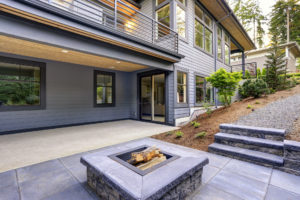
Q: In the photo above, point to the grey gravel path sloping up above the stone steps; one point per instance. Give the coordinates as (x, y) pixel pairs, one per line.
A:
(279, 114)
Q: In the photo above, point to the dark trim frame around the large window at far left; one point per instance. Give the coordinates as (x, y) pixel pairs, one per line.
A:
(42, 67)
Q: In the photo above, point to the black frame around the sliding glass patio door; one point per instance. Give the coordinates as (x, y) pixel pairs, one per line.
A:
(139, 80)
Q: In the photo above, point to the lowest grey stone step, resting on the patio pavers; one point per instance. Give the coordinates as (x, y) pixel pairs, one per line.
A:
(256, 157)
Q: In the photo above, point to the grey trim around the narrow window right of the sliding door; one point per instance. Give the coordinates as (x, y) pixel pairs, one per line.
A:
(176, 104)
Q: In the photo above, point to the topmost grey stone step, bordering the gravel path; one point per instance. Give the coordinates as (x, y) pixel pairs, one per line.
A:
(251, 131)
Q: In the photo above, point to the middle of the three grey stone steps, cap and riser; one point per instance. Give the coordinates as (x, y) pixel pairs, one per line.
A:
(252, 143)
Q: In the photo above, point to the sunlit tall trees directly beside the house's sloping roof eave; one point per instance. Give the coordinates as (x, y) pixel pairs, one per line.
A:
(251, 17)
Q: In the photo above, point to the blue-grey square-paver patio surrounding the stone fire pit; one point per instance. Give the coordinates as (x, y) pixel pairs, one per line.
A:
(223, 179)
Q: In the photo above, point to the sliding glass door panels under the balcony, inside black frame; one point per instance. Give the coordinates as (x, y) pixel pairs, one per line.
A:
(152, 98)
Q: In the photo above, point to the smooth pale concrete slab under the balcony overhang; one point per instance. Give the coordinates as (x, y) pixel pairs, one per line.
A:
(19, 150)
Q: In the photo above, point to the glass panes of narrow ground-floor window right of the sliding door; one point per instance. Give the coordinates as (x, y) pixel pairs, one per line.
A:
(181, 87)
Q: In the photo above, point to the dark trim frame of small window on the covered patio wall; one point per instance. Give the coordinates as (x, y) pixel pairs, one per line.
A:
(96, 72)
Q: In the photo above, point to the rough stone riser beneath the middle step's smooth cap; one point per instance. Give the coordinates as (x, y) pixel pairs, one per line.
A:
(254, 147)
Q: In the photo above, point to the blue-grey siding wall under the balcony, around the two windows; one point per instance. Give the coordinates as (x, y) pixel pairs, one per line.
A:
(69, 100)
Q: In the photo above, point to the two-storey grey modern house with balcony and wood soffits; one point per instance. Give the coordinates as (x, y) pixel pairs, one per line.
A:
(68, 62)
